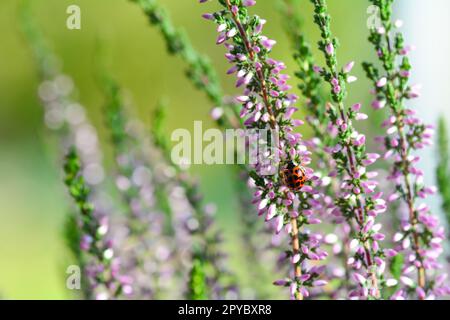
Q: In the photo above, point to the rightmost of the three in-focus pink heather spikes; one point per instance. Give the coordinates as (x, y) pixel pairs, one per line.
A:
(421, 235)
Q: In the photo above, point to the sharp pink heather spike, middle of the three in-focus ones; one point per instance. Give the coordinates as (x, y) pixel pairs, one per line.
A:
(359, 202)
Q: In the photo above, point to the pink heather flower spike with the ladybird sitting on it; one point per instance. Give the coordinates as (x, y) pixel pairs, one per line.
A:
(269, 105)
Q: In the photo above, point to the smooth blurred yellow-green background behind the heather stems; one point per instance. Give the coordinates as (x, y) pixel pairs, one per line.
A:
(33, 201)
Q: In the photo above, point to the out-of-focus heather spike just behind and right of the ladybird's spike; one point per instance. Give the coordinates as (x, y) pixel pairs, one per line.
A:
(310, 84)
